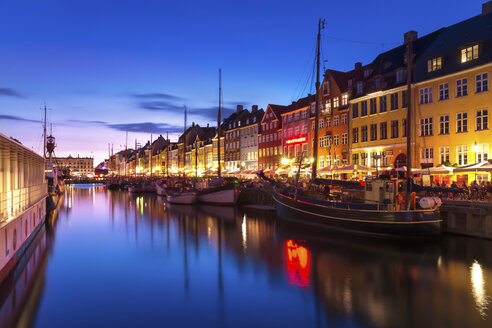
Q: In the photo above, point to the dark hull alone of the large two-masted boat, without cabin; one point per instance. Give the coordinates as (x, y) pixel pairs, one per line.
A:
(389, 223)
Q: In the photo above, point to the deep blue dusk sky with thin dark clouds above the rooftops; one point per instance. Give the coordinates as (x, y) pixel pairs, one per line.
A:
(105, 67)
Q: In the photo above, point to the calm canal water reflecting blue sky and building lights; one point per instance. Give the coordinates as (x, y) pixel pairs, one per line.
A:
(113, 259)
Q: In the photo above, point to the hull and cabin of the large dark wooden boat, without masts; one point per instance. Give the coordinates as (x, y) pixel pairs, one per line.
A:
(378, 212)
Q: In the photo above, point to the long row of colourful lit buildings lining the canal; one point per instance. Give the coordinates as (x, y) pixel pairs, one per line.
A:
(362, 115)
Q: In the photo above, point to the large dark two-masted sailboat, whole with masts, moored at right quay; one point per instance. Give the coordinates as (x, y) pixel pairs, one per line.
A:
(382, 207)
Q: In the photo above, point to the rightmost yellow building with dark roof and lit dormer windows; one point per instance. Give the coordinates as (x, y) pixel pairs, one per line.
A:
(453, 96)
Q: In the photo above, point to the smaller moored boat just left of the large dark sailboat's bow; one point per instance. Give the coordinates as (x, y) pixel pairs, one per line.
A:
(221, 191)
